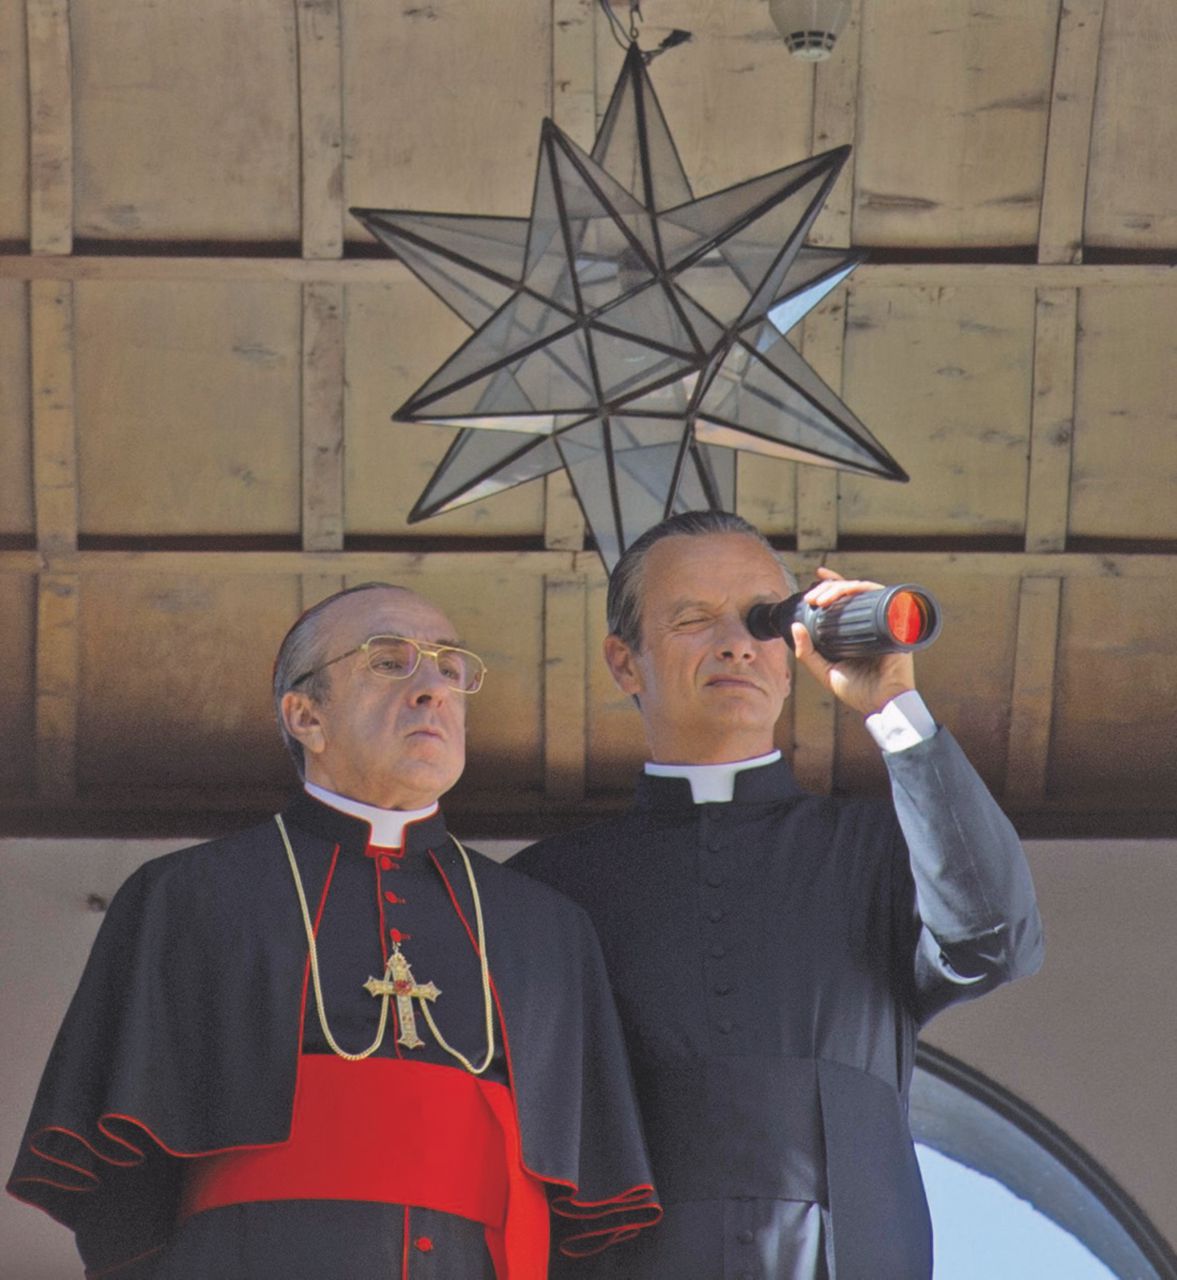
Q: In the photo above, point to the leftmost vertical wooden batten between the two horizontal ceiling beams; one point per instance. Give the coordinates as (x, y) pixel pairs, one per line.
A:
(54, 428)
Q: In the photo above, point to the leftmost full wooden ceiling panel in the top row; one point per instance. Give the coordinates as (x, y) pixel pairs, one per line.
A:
(187, 122)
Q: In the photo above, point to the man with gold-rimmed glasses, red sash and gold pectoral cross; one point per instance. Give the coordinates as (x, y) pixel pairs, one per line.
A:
(340, 1045)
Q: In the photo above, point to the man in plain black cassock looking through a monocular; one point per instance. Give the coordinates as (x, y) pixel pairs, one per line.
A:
(776, 954)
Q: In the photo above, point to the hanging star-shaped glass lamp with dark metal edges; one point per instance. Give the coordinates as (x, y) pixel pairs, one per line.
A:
(628, 332)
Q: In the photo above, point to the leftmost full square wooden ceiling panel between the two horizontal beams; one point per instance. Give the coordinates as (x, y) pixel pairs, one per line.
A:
(189, 409)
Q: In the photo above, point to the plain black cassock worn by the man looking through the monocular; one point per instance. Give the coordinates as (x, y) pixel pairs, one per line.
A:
(773, 959)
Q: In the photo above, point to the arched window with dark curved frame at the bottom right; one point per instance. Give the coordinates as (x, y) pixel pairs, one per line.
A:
(1013, 1196)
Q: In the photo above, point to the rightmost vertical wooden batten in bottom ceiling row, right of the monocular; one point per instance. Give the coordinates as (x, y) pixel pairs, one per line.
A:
(1032, 700)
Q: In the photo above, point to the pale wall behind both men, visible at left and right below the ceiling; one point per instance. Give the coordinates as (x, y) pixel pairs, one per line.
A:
(1091, 1043)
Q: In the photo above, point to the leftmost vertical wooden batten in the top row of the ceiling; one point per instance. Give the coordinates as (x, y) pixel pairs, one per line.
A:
(51, 127)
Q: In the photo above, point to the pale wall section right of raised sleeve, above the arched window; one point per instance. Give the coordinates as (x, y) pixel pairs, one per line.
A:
(1092, 1041)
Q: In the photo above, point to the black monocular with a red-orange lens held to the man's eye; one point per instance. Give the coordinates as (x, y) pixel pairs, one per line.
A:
(889, 620)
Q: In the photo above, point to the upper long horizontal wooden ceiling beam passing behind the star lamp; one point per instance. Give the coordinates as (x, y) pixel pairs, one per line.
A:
(248, 268)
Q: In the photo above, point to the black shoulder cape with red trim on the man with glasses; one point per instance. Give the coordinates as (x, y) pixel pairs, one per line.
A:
(186, 1031)
